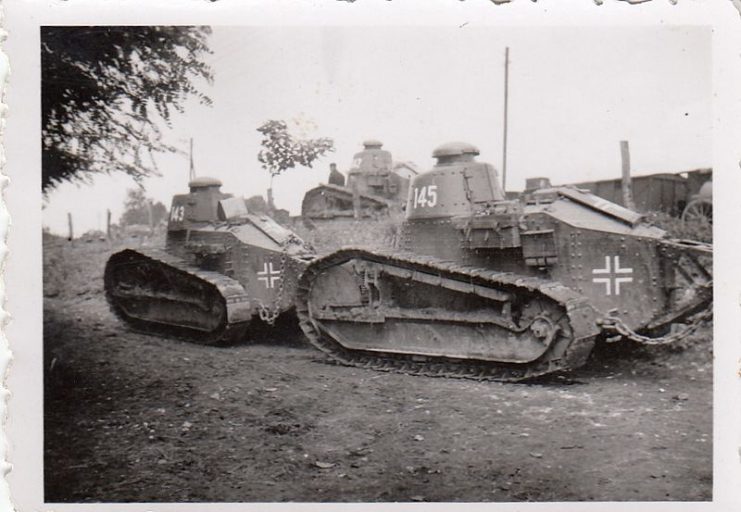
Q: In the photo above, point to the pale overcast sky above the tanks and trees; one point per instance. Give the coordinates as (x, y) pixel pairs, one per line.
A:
(574, 94)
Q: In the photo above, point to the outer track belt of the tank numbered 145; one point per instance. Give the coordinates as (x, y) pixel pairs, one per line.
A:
(582, 318)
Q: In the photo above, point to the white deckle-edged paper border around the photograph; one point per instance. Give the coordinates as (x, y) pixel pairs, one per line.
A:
(23, 281)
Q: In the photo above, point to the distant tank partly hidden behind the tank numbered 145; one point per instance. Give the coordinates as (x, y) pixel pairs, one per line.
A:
(375, 187)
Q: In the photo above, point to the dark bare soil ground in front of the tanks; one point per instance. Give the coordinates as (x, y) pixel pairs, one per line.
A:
(130, 417)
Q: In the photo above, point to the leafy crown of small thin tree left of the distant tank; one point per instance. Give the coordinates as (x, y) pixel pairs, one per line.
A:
(281, 151)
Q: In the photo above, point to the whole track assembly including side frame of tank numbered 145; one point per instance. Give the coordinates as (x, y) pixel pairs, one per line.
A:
(421, 315)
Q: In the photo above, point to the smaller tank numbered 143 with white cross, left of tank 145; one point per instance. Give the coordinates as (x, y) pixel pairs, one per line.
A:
(222, 267)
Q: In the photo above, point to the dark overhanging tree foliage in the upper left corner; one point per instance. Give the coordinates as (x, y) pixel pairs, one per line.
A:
(107, 91)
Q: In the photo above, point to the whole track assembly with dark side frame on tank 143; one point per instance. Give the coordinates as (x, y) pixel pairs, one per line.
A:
(155, 292)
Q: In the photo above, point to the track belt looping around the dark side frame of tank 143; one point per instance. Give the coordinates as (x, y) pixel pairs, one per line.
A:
(229, 289)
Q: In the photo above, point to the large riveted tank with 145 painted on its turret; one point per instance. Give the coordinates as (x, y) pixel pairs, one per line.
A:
(489, 288)
